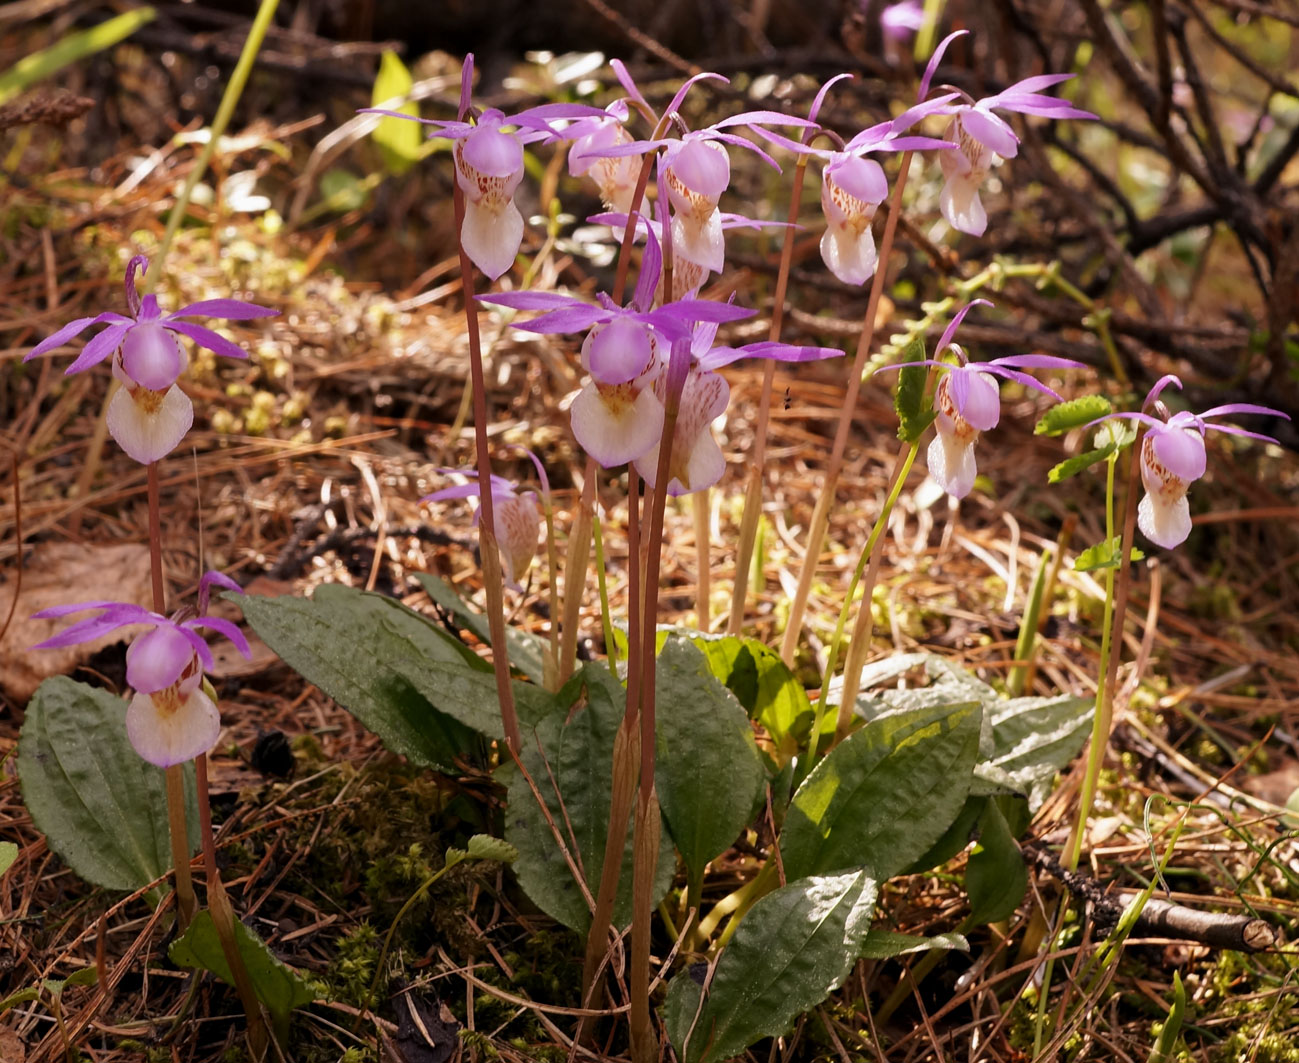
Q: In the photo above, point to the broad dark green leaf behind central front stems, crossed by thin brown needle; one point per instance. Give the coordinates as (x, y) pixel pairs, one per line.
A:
(579, 758)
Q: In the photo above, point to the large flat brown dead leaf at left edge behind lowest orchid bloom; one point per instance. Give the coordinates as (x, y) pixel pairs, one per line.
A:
(59, 575)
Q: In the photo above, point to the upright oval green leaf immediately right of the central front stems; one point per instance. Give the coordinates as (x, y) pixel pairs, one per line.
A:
(709, 771)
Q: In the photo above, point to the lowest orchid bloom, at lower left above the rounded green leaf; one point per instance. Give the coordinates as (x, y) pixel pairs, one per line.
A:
(171, 718)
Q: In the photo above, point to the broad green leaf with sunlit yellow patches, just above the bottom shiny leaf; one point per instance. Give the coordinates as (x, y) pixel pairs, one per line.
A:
(885, 795)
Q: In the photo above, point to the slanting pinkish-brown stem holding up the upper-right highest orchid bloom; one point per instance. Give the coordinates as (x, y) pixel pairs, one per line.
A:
(822, 515)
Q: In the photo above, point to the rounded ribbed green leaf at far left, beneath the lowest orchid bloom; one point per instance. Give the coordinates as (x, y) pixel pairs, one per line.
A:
(102, 809)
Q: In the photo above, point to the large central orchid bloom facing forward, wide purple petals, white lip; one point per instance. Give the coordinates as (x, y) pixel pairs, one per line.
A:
(618, 416)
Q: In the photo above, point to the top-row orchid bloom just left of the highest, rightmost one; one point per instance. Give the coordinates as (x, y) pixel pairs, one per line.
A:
(853, 186)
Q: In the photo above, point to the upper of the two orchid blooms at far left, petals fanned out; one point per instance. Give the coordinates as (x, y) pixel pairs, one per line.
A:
(150, 415)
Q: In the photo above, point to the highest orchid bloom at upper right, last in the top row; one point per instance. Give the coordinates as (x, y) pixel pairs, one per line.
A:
(984, 138)
